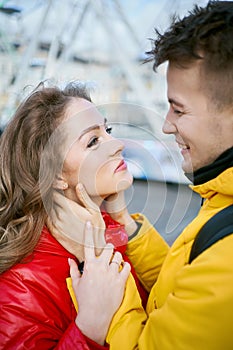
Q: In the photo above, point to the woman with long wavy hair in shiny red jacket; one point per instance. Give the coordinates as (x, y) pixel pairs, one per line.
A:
(37, 311)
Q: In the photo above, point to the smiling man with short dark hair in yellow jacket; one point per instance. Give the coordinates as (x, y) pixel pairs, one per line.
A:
(190, 304)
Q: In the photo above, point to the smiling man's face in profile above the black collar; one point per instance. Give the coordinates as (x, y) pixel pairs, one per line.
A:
(201, 132)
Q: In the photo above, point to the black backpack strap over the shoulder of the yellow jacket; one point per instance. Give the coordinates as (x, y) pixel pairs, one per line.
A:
(218, 227)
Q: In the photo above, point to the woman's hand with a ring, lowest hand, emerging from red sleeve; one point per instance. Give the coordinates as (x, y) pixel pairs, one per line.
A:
(100, 290)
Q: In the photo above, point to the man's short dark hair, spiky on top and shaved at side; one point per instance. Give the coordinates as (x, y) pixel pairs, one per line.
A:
(206, 35)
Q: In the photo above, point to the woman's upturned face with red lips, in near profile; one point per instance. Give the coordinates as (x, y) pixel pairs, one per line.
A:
(92, 156)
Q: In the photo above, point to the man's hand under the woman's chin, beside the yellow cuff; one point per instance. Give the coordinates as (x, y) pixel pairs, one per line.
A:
(115, 205)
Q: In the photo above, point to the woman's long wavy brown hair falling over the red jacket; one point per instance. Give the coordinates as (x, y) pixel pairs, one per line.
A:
(22, 213)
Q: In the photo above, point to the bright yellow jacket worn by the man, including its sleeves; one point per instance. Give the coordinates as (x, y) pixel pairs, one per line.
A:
(190, 305)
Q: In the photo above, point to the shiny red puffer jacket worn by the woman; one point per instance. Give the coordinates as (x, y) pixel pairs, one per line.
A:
(36, 311)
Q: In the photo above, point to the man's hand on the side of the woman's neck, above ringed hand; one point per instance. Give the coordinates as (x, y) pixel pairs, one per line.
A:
(68, 219)
